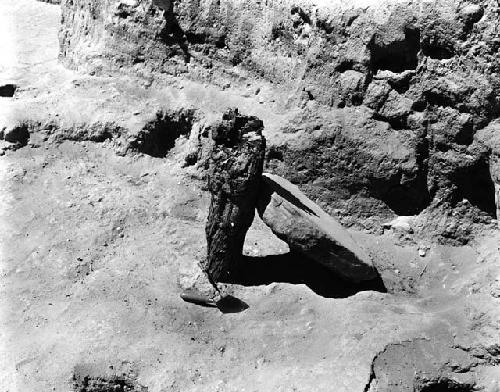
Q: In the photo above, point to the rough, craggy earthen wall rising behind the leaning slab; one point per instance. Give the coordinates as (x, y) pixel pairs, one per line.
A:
(391, 93)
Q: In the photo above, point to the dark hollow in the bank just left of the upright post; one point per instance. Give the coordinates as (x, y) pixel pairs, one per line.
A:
(158, 137)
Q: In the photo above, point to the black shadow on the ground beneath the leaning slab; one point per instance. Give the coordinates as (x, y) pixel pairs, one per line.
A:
(297, 269)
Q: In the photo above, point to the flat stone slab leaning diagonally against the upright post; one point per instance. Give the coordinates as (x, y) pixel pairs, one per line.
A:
(311, 231)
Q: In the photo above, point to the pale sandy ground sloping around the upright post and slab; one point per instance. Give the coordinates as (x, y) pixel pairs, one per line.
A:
(92, 245)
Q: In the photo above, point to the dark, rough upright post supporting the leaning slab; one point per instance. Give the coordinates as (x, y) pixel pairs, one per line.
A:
(234, 176)
